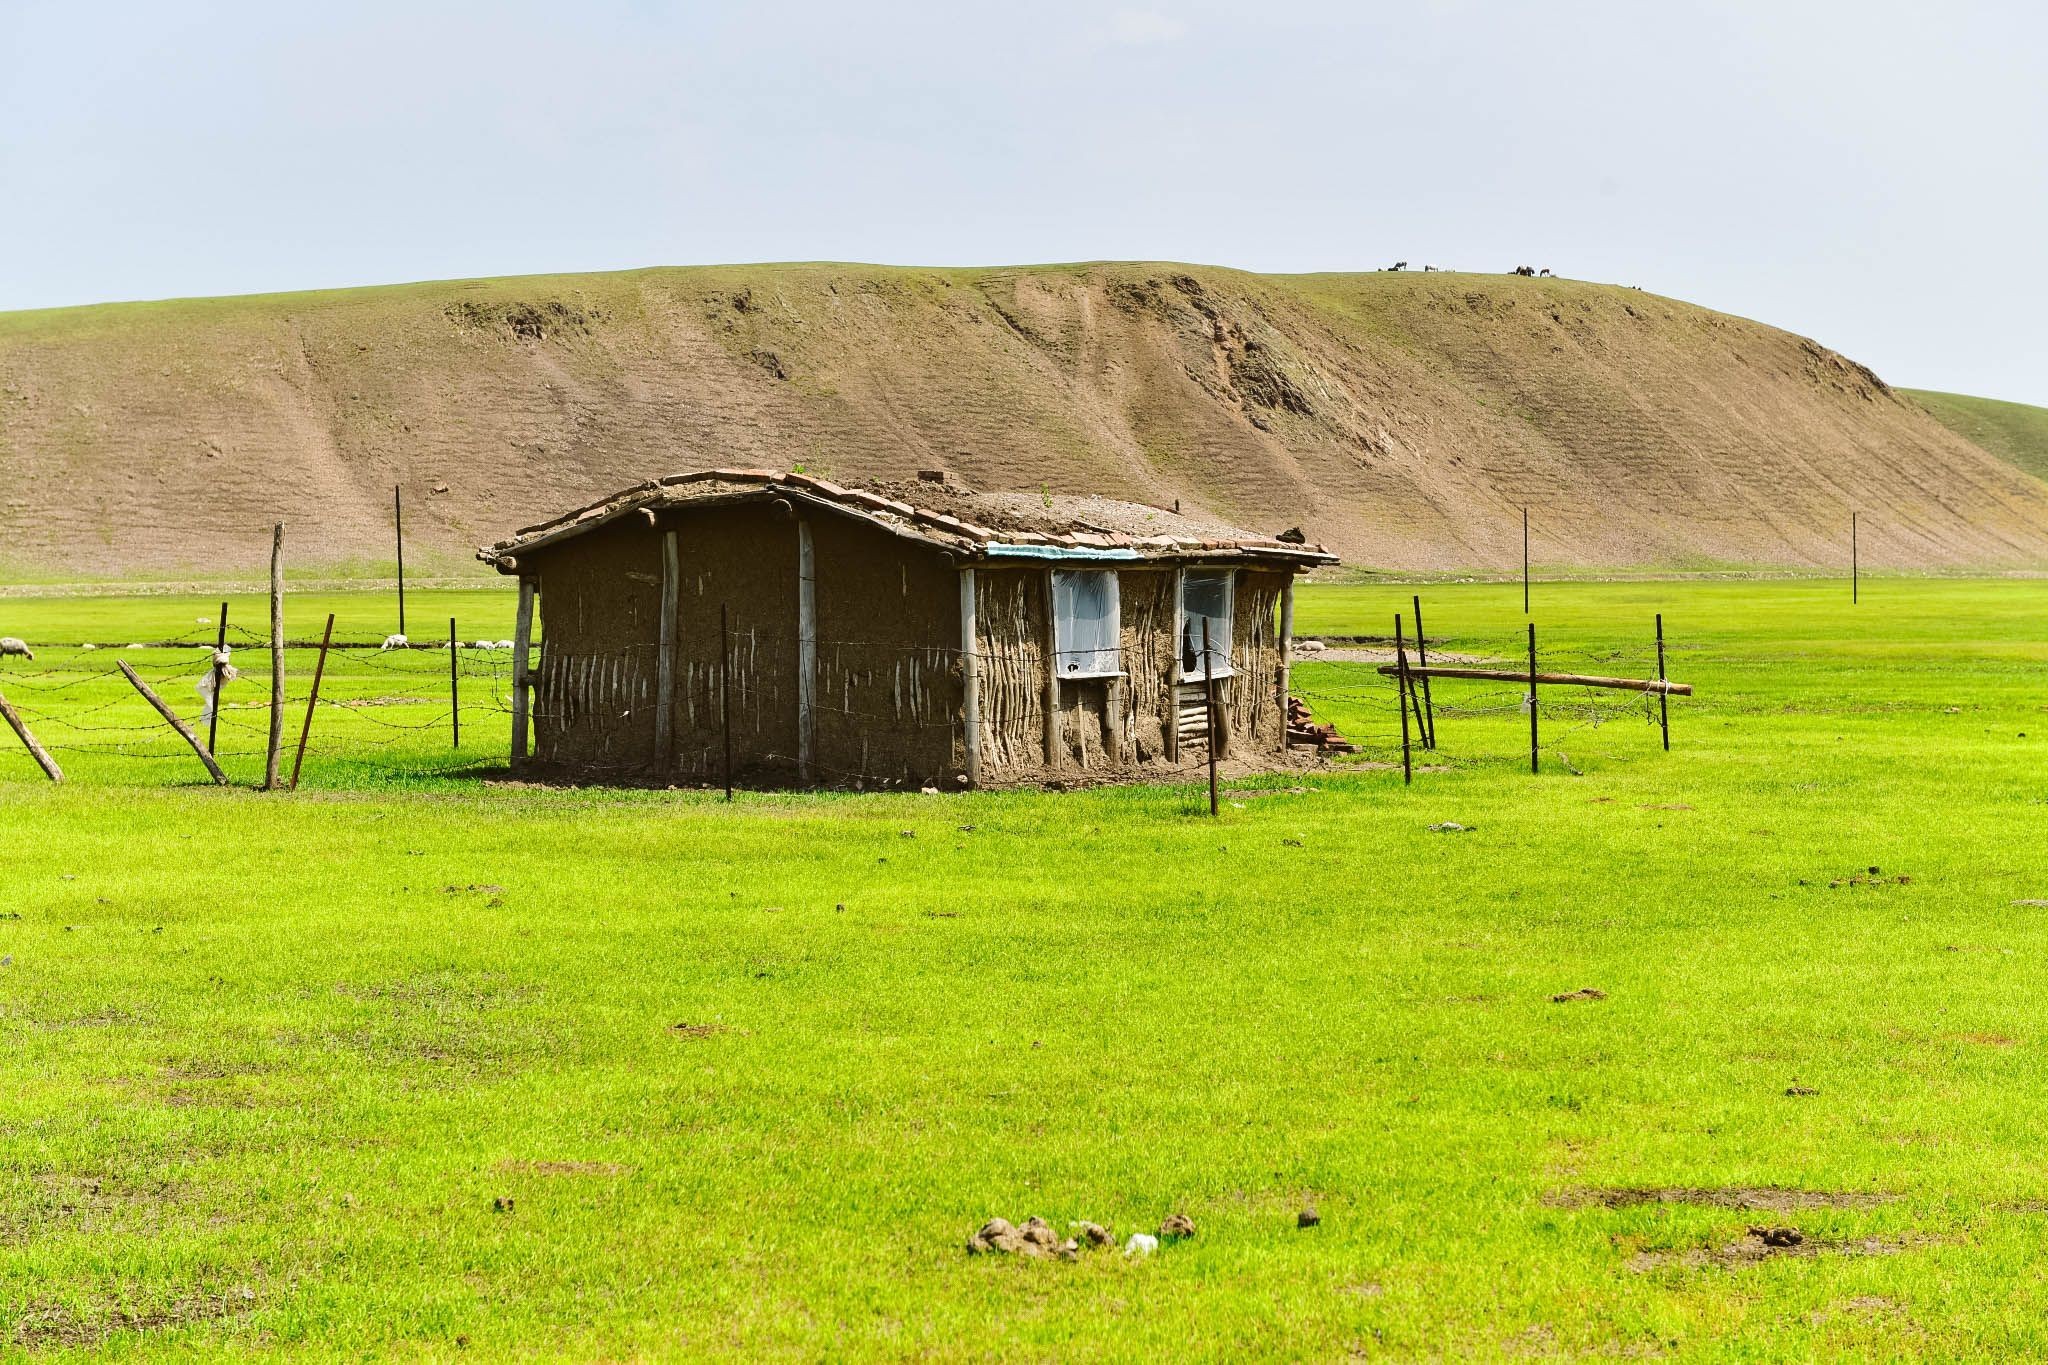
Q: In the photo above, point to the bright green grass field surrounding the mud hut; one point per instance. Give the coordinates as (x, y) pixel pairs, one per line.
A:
(415, 1063)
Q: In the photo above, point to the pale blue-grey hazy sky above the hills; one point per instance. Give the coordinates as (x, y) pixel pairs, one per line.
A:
(1859, 171)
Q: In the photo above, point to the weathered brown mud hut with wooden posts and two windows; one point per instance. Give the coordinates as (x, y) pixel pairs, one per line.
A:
(796, 631)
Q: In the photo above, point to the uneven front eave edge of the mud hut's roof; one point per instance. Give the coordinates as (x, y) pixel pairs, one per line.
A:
(900, 519)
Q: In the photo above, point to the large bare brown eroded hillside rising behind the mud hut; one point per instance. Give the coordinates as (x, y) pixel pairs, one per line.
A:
(1400, 419)
